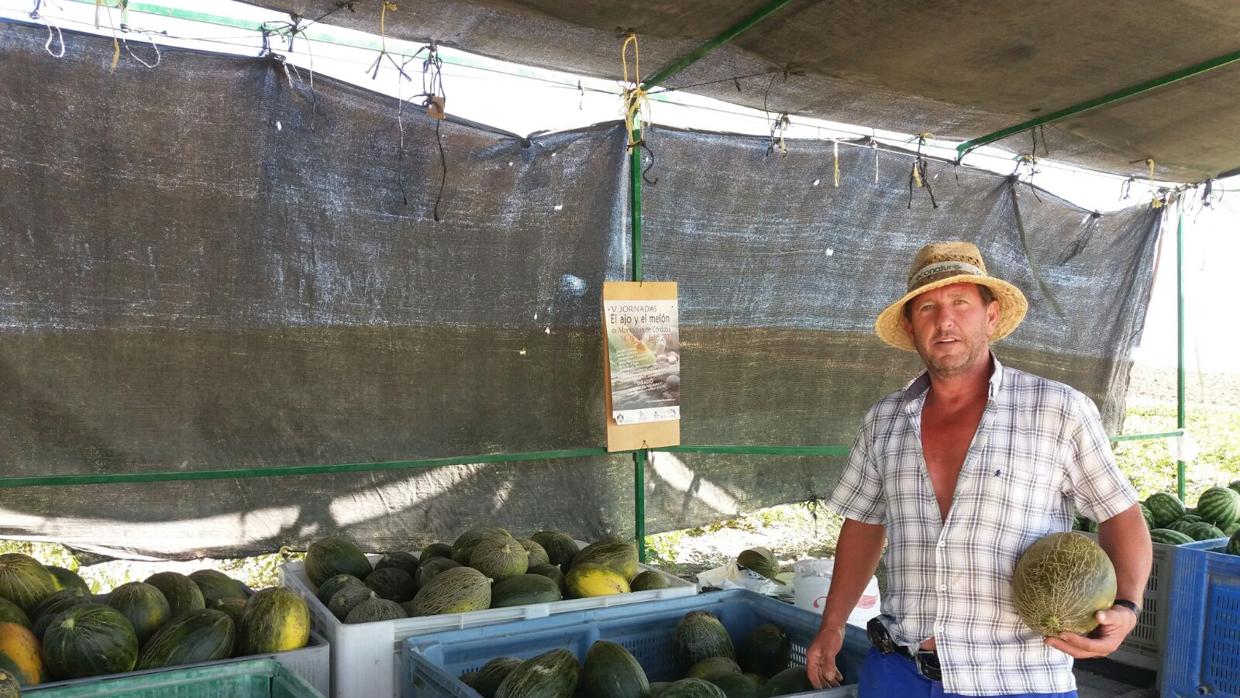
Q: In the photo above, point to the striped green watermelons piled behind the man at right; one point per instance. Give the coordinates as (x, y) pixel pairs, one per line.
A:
(1217, 515)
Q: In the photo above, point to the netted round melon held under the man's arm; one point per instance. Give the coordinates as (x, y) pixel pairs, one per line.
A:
(1061, 583)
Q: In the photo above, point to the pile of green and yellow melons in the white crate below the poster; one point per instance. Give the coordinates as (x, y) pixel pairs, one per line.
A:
(484, 568)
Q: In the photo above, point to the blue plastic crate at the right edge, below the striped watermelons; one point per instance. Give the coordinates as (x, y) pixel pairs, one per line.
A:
(1203, 642)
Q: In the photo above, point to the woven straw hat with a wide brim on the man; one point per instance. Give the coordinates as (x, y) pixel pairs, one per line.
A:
(942, 265)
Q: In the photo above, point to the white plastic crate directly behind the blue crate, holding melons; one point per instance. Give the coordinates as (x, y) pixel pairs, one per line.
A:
(365, 658)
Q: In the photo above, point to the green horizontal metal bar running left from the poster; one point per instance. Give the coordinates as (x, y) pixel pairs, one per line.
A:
(288, 470)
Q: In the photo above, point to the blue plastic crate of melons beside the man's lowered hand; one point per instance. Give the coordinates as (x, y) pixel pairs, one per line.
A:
(432, 664)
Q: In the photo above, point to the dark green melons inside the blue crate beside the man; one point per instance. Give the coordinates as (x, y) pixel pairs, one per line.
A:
(705, 653)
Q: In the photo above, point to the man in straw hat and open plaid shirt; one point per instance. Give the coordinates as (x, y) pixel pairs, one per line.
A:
(962, 472)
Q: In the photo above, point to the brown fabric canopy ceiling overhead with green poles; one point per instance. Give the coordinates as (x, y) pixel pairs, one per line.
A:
(957, 69)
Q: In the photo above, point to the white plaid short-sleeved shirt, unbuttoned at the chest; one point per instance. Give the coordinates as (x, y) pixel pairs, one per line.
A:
(1040, 451)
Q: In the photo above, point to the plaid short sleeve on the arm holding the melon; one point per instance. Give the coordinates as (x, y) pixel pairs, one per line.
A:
(1098, 487)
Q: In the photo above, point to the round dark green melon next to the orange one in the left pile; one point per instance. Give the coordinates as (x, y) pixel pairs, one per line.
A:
(89, 640)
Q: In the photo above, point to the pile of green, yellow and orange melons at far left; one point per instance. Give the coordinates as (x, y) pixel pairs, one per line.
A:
(54, 629)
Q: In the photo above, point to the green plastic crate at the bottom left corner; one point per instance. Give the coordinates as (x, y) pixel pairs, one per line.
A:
(255, 679)
